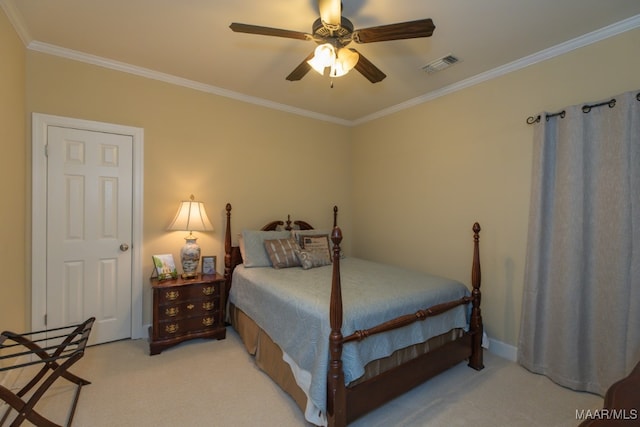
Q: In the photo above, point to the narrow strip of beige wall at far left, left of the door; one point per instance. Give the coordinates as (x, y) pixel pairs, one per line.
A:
(12, 179)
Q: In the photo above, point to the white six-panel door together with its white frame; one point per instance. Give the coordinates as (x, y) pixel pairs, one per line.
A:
(87, 221)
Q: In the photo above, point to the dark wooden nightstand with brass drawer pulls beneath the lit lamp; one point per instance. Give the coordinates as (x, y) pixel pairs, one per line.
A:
(185, 309)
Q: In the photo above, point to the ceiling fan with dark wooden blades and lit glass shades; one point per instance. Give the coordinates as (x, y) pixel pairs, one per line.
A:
(333, 32)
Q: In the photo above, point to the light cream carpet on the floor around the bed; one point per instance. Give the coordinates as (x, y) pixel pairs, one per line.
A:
(216, 384)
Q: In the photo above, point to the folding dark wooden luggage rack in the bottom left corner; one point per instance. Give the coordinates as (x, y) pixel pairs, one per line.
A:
(24, 350)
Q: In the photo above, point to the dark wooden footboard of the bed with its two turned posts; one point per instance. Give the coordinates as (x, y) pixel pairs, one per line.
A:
(345, 404)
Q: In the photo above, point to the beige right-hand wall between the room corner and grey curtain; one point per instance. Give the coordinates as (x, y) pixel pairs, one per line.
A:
(424, 175)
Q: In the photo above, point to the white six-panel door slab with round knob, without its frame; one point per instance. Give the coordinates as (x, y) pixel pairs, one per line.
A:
(89, 231)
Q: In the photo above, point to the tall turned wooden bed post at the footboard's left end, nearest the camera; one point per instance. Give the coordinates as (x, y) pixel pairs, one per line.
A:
(336, 389)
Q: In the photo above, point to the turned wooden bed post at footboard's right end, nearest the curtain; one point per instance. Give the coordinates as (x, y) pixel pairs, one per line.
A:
(475, 324)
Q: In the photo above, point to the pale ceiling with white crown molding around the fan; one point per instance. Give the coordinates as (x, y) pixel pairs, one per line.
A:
(189, 42)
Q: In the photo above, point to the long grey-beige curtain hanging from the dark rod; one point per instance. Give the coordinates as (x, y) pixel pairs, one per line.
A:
(581, 303)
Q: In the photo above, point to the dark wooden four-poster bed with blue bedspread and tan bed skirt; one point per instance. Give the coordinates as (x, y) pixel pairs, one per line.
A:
(281, 354)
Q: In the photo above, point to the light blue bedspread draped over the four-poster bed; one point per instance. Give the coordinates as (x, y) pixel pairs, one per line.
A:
(292, 306)
